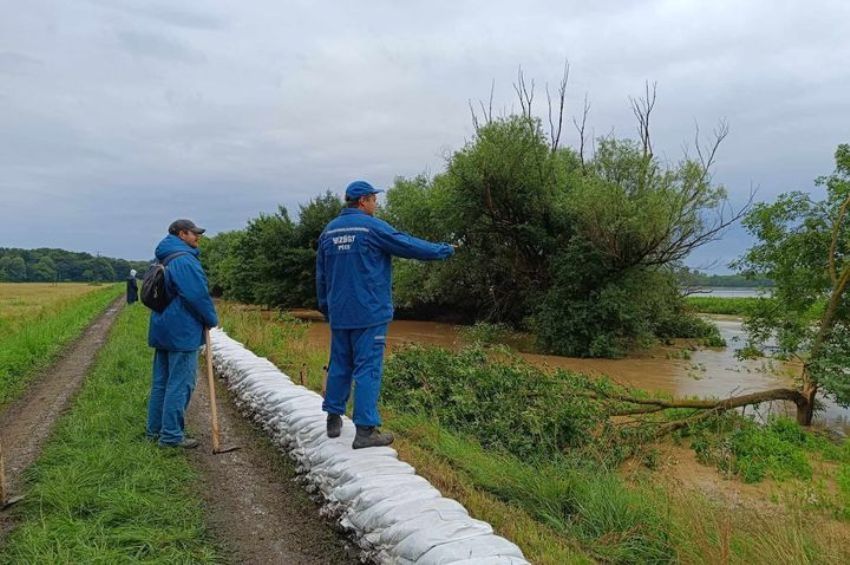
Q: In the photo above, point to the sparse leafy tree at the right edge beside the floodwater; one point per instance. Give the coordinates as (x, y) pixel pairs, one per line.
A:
(804, 246)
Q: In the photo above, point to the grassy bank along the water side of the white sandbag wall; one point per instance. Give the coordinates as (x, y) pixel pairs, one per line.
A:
(568, 511)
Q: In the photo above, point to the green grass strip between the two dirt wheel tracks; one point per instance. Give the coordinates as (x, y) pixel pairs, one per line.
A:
(99, 493)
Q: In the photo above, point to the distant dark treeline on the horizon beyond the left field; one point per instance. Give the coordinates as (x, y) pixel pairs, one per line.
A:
(58, 265)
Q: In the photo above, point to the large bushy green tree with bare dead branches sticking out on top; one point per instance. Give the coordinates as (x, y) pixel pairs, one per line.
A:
(580, 248)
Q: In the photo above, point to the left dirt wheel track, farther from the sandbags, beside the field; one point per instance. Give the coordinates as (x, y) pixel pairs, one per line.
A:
(26, 423)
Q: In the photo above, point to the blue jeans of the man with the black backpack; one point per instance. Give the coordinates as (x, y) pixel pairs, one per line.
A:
(174, 375)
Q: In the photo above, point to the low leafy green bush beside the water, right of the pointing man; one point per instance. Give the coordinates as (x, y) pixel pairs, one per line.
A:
(505, 403)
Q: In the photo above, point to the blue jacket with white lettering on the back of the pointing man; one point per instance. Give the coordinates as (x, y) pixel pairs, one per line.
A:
(354, 268)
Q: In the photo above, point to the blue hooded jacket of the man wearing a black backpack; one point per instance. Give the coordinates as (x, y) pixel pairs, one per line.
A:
(180, 327)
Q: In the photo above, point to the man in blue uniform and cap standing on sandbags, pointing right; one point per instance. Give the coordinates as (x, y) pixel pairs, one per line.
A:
(354, 288)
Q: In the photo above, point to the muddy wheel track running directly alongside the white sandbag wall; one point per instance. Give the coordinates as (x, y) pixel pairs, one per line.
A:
(253, 505)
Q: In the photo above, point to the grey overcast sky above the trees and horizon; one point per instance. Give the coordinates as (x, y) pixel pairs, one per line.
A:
(118, 116)
